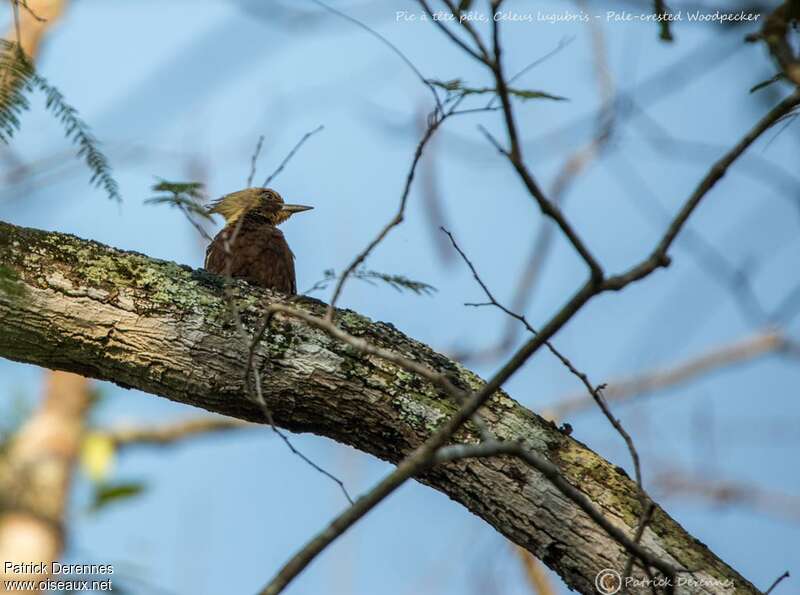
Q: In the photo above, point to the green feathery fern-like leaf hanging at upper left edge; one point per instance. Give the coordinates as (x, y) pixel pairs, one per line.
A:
(19, 77)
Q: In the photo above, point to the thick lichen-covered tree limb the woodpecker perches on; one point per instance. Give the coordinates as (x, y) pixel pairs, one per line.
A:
(163, 328)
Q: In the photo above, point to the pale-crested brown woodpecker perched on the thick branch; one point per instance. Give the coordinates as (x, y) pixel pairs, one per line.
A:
(250, 246)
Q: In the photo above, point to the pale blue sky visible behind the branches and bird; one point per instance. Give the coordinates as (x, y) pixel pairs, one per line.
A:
(183, 90)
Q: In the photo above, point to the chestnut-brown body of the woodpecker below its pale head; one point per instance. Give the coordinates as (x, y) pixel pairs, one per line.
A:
(259, 255)
